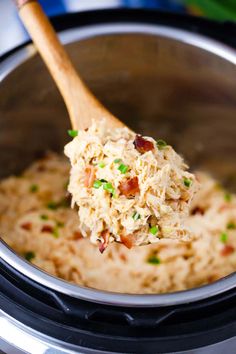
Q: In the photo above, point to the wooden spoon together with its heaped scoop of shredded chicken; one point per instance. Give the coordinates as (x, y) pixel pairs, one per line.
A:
(128, 188)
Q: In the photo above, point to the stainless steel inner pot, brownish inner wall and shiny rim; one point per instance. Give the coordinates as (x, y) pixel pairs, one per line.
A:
(161, 81)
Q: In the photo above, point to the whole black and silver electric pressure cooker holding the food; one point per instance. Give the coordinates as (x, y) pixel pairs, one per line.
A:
(167, 76)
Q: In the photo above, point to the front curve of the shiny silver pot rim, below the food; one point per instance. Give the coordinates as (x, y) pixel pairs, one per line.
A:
(114, 298)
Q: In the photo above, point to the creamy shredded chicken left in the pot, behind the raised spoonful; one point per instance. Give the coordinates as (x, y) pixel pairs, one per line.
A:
(37, 222)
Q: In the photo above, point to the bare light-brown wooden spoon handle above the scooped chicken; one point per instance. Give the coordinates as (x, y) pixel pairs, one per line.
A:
(82, 105)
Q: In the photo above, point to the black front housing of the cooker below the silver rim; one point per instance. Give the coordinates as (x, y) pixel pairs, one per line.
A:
(87, 325)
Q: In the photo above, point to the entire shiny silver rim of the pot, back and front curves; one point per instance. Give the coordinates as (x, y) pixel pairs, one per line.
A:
(130, 300)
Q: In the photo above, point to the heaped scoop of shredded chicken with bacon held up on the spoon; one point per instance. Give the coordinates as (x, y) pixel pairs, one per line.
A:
(128, 188)
